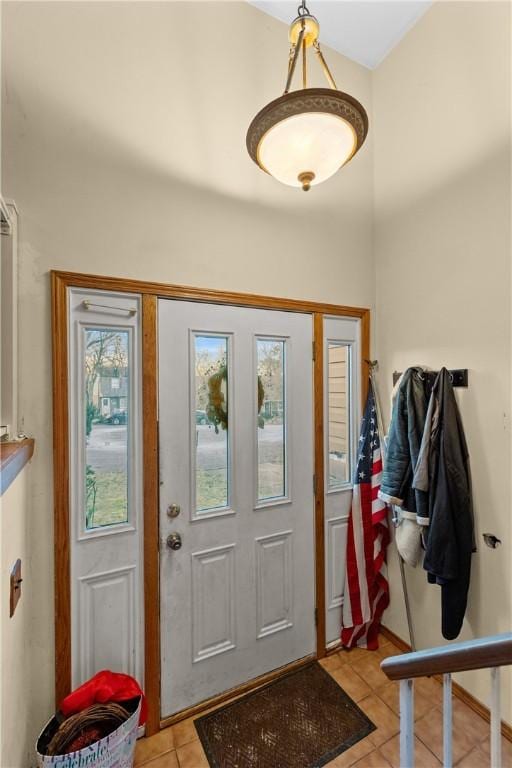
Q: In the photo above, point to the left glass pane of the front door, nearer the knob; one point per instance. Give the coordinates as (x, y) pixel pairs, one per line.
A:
(211, 422)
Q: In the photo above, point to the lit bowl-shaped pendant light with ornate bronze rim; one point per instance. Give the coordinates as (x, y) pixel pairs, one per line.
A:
(305, 136)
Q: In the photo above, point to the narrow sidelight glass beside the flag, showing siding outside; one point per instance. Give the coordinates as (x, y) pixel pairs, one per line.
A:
(338, 360)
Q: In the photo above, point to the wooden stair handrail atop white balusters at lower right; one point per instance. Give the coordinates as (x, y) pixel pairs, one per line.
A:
(493, 651)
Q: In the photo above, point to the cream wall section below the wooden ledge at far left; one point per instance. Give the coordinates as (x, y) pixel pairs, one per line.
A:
(15, 727)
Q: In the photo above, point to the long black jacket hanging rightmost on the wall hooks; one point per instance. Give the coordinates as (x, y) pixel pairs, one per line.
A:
(442, 473)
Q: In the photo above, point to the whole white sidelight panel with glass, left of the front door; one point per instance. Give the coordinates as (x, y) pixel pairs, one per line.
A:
(107, 616)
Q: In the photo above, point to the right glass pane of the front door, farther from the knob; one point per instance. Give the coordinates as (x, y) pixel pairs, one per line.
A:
(271, 419)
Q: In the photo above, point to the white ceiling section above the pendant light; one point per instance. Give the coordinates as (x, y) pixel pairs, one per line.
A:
(363, 30)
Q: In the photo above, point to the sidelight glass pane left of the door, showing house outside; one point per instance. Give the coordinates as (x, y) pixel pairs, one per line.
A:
(106, 367)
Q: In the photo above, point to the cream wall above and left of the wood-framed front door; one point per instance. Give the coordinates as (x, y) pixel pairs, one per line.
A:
(124, 148)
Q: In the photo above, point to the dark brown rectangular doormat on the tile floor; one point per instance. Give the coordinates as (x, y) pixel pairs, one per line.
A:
(301, 720)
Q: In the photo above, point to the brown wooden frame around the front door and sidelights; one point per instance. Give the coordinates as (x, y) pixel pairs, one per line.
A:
(150, 293)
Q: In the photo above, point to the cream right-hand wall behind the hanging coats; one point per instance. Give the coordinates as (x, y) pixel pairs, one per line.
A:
(442, 234)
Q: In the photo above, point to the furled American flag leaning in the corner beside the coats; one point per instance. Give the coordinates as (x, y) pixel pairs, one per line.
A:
(366, 586)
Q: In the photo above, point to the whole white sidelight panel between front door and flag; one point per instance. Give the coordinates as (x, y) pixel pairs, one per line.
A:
(342, 388)
